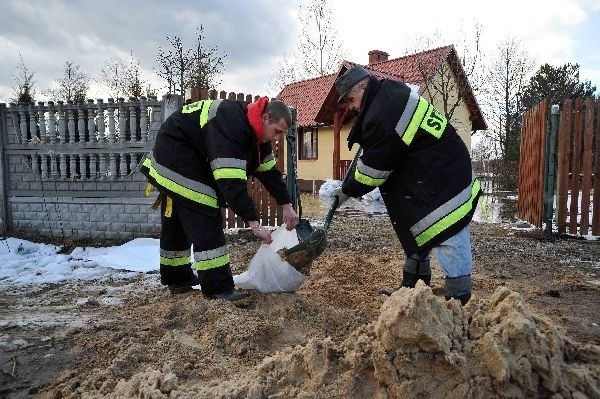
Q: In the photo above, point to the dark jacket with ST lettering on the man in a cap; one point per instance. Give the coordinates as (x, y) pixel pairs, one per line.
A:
(420, 164)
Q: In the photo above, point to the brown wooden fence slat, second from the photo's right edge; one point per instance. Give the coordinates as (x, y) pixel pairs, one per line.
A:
(586, 155)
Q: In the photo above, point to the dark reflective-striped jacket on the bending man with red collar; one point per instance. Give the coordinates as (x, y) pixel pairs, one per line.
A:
(204, 154)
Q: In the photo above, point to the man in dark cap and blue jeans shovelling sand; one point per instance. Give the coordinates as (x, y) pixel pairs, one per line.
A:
(423, 171)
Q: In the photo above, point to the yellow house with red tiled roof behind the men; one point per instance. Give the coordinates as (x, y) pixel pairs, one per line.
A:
(323, 125)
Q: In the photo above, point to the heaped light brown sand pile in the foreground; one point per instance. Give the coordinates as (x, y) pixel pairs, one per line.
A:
(420, 346)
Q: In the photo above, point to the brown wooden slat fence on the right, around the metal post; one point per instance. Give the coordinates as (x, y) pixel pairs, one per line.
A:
(577, 171)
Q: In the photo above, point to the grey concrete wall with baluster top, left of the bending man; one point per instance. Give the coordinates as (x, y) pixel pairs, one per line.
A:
(74, 177)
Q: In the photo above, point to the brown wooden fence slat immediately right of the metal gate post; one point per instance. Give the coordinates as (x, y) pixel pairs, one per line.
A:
(564, 149)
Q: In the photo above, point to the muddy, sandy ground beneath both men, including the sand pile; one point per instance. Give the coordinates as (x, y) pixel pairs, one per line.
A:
(531, 329)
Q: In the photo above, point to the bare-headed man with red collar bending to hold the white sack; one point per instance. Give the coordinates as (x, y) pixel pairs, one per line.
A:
(200, 162)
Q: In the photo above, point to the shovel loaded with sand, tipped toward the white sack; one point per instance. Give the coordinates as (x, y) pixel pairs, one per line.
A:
(313, 243)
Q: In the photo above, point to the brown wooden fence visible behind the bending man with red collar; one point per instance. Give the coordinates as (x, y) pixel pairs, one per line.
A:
(269, 212)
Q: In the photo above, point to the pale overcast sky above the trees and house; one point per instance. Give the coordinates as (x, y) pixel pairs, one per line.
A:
(256, 34)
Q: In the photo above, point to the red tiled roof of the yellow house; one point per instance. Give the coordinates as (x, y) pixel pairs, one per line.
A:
(315, 99)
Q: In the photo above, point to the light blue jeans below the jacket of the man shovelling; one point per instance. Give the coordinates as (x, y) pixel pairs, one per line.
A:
(454, 255)
